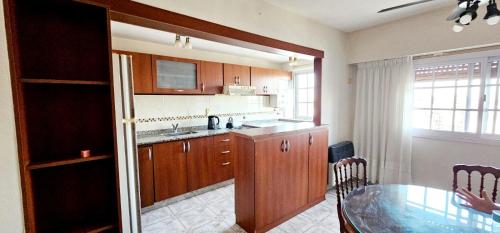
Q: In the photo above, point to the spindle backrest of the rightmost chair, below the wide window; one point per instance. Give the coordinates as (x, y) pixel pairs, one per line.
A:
(482, 171)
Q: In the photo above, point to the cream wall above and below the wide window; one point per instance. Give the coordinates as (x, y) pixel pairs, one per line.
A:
(432, 160)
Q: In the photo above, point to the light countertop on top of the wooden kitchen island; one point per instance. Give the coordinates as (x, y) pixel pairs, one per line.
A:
(257, 133)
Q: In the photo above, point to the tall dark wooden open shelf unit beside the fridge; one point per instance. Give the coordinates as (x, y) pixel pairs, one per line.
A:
(60, 60)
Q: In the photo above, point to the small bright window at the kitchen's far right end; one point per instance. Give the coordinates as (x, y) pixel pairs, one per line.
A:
(304, 95)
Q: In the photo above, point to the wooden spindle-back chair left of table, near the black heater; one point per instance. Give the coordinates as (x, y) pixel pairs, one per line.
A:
(346, 181)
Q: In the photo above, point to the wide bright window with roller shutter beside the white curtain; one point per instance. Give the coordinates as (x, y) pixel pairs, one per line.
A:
(458, 96)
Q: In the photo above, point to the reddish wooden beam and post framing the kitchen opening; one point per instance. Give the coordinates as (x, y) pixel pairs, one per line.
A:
(130, 12)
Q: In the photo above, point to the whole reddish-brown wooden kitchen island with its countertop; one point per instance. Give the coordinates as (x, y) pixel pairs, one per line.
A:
(279, 172)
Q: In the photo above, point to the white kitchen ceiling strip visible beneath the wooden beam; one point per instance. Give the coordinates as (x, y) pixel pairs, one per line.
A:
(129, 31)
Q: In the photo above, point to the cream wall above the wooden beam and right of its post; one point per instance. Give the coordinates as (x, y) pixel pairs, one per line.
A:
(267, 20)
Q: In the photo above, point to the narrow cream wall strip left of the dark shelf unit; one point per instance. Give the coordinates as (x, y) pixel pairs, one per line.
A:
(11, 215)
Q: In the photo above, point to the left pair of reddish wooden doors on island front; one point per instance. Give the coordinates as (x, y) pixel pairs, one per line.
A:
(280, 177)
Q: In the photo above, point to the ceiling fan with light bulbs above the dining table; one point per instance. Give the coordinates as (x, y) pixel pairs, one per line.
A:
(464, 13)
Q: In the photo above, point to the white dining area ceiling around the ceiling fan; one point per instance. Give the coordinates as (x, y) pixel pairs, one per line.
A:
(352, 15)
